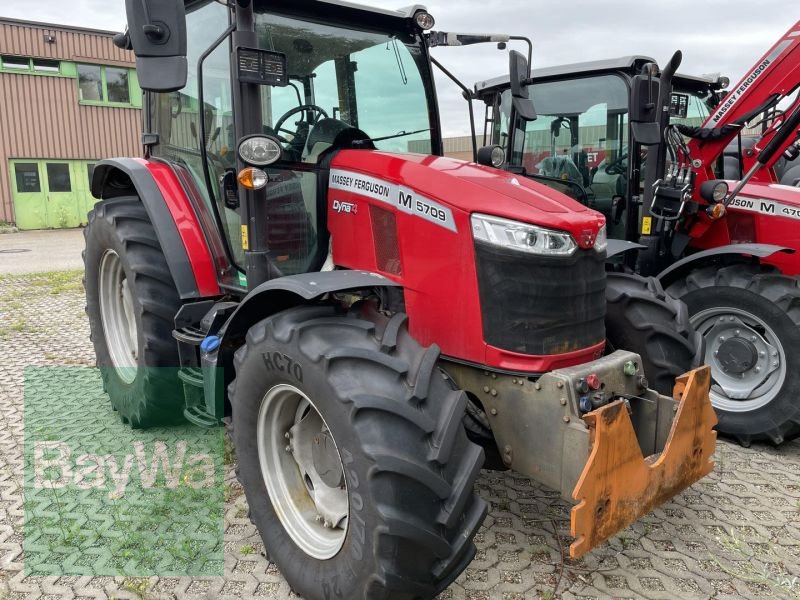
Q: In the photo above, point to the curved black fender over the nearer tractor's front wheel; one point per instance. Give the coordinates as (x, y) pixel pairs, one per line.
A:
(264, 301)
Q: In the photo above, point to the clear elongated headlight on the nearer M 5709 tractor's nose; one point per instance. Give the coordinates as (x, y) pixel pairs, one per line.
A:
(522, 236)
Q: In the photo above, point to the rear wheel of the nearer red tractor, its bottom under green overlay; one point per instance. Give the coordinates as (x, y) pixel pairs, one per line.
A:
(127, 283)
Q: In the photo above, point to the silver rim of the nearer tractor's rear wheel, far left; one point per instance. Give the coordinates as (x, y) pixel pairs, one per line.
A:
(118, 317)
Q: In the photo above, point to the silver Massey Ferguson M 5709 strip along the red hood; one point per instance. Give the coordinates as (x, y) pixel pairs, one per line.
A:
(403, 198)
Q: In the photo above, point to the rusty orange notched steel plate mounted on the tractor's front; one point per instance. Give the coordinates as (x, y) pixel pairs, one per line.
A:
(618, 484)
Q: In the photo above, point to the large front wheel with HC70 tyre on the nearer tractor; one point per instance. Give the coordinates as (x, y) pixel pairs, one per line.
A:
(405, 465)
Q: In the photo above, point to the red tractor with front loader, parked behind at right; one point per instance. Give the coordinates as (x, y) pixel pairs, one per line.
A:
(729, 256)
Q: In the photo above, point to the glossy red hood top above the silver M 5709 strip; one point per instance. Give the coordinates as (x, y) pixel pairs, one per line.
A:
(474, 188)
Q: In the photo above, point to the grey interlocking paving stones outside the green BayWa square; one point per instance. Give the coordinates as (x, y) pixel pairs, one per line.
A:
(735, 534)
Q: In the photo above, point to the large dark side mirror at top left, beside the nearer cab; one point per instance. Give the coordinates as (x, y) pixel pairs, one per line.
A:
(157, 35)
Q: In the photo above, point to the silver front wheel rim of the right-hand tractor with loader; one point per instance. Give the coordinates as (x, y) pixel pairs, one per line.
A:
(748, 364)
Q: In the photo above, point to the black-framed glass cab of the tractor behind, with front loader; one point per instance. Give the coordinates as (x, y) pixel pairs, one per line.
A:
(580, 142)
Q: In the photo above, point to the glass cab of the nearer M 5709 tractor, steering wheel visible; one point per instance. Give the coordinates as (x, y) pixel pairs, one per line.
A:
(334, 78)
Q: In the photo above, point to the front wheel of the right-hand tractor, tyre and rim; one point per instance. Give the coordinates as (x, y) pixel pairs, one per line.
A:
(760, 305)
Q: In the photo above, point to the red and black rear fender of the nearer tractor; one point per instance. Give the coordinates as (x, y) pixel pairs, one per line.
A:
(176, 224)
